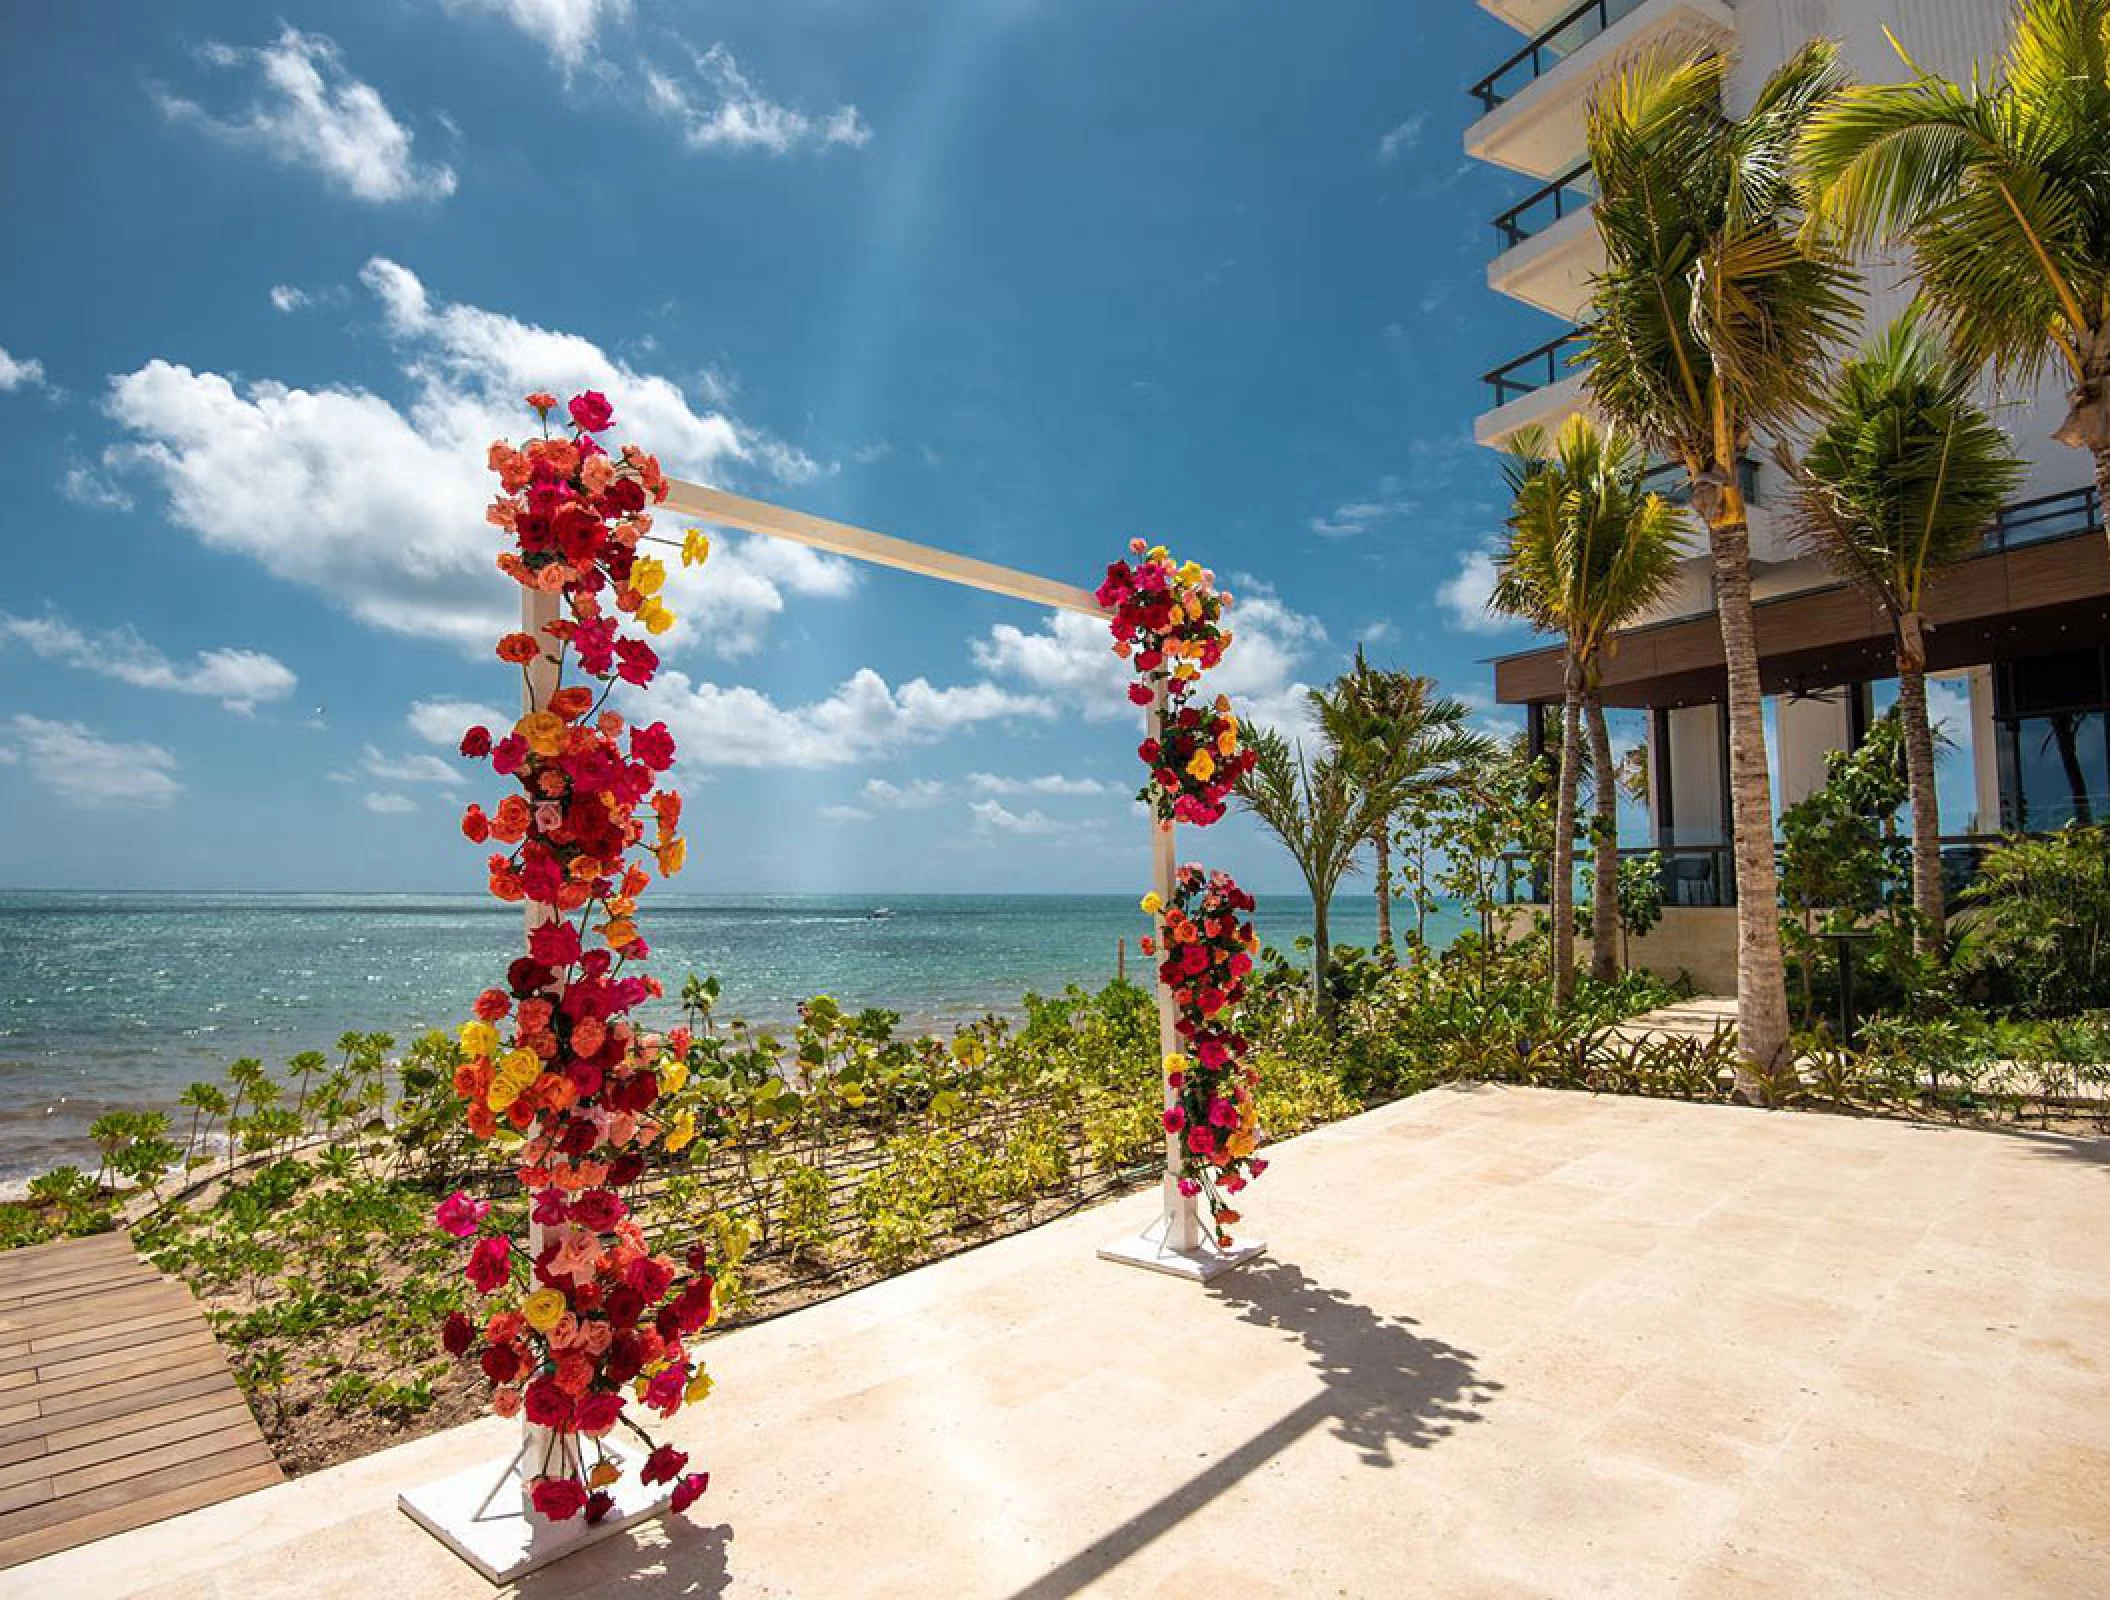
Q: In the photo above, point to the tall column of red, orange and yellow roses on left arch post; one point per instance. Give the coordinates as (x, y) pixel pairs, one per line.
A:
(590, 1316)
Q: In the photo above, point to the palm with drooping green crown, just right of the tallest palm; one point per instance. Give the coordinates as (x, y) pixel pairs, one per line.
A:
(1902, 478)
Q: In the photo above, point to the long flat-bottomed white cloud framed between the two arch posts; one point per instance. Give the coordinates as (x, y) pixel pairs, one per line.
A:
(864, 719)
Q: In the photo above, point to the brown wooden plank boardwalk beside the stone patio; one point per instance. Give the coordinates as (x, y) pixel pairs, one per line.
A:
(117, 1407)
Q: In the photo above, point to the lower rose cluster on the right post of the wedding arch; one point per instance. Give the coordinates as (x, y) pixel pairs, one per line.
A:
(1206, 949)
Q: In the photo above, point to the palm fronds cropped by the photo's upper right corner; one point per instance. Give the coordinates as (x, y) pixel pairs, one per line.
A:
(2001, 189)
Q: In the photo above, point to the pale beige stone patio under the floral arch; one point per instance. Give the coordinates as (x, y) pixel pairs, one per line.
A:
(1508, 1344)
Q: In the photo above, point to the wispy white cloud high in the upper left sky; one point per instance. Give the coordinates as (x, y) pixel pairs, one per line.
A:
(313, 113)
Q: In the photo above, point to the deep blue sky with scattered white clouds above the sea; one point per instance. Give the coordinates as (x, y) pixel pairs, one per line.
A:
(1016, 280)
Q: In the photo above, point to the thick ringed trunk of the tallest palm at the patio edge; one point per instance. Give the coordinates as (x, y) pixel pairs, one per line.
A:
(1761, 974)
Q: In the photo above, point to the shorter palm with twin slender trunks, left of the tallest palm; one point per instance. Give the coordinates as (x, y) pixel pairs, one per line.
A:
(1590, 552)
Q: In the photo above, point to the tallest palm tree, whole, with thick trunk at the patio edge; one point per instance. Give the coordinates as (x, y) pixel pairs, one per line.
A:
(1712, 320)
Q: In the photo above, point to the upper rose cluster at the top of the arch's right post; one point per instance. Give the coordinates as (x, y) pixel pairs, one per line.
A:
(1170, 626)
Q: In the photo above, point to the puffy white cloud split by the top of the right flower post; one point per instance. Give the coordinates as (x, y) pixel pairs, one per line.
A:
(1071, 658)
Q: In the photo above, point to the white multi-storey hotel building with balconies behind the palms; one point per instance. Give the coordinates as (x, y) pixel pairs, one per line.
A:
(2020, 632)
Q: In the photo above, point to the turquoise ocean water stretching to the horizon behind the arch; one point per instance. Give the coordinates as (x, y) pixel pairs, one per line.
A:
(123, 999)
